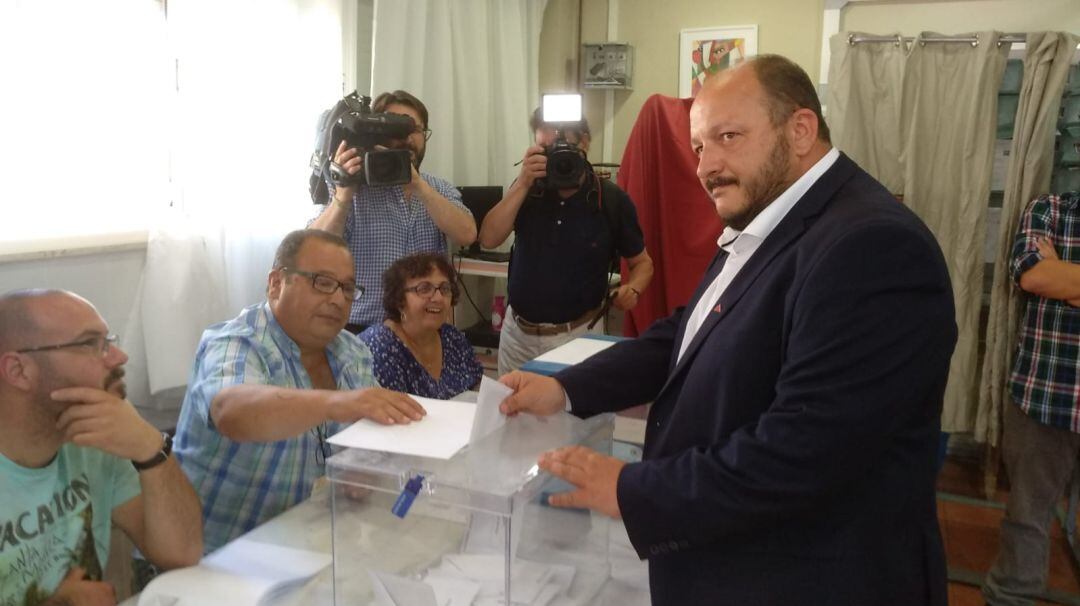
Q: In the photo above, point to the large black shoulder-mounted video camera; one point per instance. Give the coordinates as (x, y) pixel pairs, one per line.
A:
(353, 120)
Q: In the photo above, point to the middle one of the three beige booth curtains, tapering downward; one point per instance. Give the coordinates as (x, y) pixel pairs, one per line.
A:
(949, 113)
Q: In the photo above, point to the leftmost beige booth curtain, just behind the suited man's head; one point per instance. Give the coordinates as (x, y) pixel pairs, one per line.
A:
(863, 103)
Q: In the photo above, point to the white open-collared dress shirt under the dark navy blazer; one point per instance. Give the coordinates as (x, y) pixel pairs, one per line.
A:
(740, 246)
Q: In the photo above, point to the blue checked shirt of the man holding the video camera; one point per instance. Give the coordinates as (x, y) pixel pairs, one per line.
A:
(385, 227)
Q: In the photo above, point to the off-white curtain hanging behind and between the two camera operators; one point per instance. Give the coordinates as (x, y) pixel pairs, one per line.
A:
(476, 65)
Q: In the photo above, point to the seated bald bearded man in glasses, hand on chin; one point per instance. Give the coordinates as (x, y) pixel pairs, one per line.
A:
(76, 459)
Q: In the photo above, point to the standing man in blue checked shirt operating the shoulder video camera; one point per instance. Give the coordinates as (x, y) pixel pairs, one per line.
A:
(384, 223)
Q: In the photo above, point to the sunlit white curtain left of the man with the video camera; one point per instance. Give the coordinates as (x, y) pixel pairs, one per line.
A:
(253, 77)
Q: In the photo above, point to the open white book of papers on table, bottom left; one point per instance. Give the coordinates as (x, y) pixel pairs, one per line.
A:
(244, 573)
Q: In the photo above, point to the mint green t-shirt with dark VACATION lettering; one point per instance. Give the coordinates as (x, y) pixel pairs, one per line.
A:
(57, 518)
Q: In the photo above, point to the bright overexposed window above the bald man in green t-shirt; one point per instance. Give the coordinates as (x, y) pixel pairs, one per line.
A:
(85, 91)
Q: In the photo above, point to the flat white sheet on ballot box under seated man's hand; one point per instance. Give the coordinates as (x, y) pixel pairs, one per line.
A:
(444, 432)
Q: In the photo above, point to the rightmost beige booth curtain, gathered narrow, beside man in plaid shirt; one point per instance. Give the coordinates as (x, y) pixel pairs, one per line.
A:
(1046, 69)
